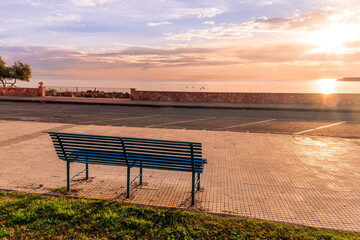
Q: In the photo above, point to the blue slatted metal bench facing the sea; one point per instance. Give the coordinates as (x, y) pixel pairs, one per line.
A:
(130, 152)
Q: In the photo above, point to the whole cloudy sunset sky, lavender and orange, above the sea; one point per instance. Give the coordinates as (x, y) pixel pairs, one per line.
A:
(183, 40)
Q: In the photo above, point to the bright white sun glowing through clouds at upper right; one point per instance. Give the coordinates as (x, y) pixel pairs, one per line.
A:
(333, 38)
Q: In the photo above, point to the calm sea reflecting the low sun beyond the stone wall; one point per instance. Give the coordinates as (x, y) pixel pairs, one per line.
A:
(264, 86)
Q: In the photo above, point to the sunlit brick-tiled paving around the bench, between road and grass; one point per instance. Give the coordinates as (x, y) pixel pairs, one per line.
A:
(294, 179)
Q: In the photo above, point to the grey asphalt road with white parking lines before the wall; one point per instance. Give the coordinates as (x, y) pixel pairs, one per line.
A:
(335, 124)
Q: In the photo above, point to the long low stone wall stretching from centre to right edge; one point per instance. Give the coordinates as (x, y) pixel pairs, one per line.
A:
(224, 97)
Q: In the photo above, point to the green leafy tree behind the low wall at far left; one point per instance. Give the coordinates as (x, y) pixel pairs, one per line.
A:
(18, 71)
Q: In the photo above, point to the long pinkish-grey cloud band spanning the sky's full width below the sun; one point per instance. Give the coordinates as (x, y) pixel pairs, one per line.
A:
(149, 57)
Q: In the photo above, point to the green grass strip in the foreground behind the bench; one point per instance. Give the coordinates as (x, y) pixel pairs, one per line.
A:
(31, 216)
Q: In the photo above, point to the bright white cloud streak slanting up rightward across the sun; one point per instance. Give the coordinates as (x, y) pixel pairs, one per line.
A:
(307, 23)
